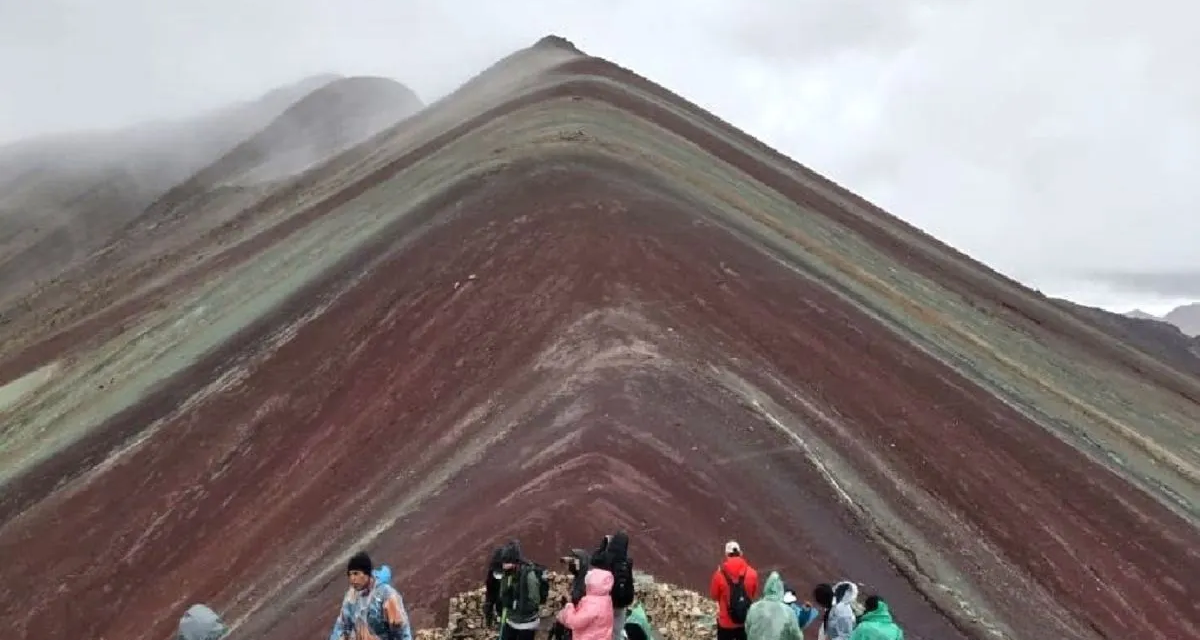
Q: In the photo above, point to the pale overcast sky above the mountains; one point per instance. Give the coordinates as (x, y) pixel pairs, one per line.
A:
(1055, 140)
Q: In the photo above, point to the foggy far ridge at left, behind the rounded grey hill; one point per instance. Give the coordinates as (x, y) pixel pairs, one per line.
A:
(63, 196)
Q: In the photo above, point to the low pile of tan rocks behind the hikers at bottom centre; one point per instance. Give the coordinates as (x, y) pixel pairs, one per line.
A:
(679, 614)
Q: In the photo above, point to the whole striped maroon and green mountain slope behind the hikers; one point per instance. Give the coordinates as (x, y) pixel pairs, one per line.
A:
(559, 302)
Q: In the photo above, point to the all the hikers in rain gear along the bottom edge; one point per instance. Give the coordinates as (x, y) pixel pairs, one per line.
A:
(602, 603)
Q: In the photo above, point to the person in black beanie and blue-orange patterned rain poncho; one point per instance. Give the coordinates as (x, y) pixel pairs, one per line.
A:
(371, 609)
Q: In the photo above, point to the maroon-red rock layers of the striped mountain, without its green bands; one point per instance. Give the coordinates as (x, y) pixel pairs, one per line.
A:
(551, 350)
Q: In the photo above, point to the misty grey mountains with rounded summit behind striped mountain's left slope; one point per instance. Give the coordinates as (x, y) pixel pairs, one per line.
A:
(64, 198)
